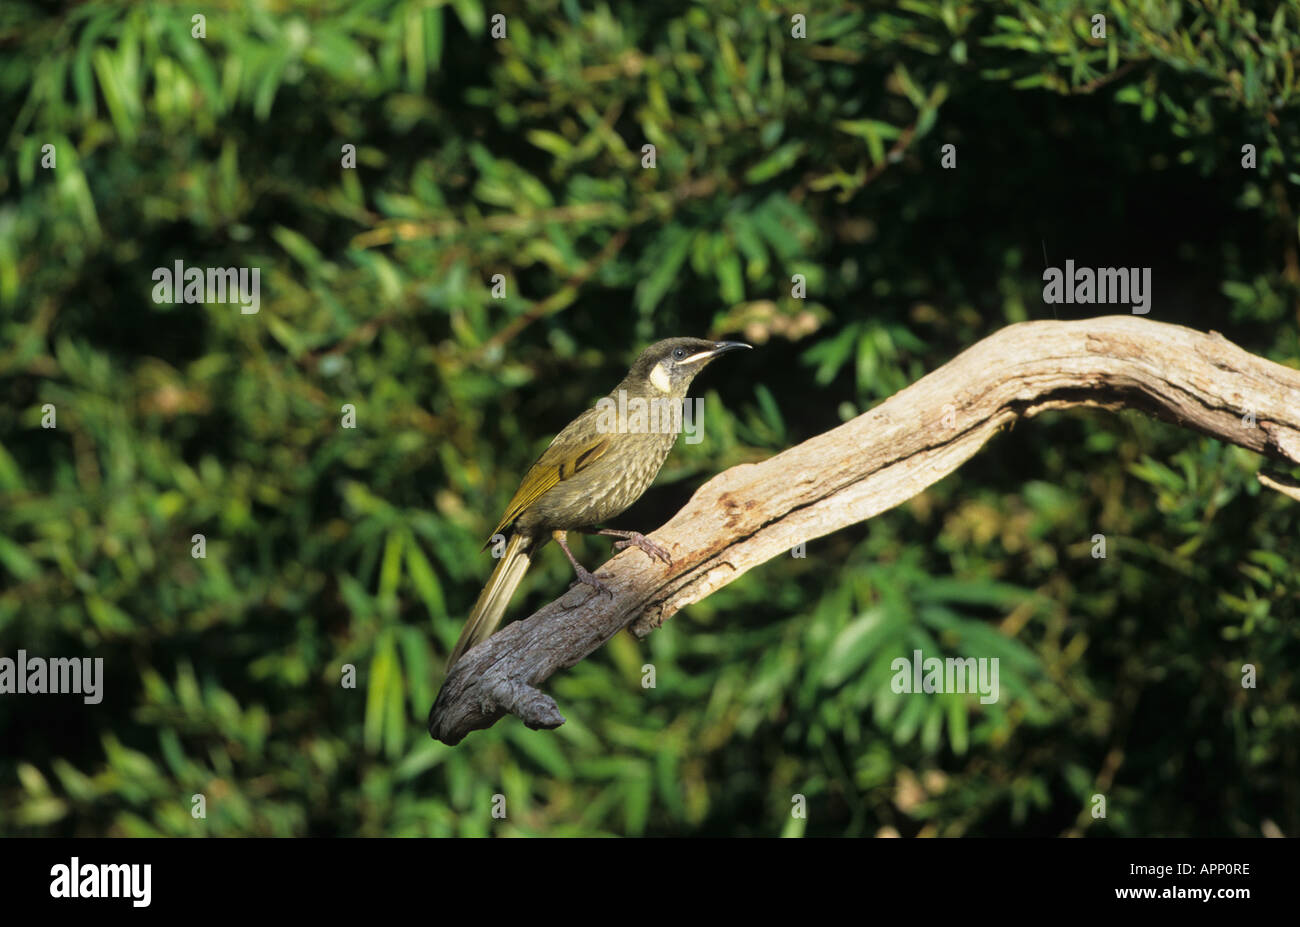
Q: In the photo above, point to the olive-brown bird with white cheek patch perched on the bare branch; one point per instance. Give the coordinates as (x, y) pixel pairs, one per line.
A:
(592, 471)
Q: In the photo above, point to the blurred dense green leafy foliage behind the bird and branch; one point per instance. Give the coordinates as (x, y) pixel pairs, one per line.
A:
(523, 157)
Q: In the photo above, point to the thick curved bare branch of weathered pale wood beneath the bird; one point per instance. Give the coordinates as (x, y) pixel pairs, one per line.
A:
(753, 513)
